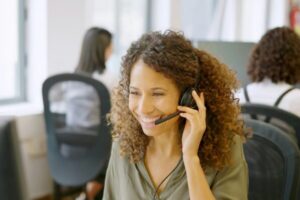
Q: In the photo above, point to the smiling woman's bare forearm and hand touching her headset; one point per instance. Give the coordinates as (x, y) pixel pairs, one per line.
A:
(191, 138)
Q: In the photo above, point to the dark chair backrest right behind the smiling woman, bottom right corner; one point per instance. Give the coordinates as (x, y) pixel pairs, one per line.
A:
(273, 161)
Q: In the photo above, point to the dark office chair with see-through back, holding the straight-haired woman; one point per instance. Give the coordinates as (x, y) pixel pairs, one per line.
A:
(78, 151)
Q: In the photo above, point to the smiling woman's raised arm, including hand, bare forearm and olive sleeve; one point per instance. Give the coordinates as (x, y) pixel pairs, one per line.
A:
(227, 180)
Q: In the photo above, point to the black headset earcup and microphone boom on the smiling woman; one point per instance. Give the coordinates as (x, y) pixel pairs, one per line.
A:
(185, 100)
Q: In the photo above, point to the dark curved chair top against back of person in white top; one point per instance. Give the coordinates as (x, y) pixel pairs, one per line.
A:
(276, 114)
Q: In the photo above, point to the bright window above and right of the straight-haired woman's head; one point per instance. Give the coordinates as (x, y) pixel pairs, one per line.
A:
(127, 19)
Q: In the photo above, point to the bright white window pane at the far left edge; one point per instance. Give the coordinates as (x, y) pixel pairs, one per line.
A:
(12, 59)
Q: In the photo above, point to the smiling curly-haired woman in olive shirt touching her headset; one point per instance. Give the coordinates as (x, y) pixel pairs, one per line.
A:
(175, 125)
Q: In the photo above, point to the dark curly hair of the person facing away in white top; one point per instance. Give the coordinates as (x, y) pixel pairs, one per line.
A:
(276, 56)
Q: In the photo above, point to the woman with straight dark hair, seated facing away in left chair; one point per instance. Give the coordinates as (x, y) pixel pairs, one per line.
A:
(95, 51)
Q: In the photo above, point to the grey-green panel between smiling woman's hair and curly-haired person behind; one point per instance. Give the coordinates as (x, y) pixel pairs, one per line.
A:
(234, 54)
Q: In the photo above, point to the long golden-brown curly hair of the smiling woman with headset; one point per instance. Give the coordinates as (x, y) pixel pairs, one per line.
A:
(174, 56)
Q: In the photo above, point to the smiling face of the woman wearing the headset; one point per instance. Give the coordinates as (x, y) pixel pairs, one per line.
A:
(152, 96)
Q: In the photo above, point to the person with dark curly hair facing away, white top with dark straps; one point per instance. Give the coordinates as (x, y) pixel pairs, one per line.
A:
(274, 69)
